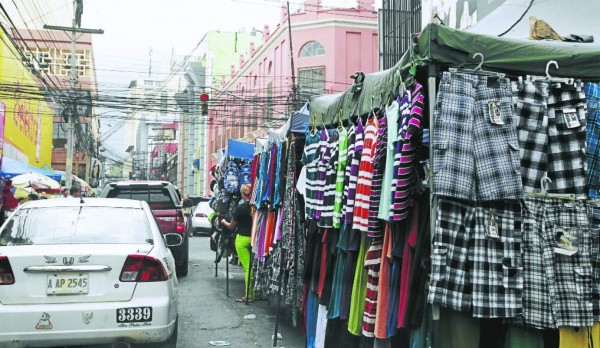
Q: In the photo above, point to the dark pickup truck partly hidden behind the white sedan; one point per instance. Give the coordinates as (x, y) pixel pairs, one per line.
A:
(165, 202)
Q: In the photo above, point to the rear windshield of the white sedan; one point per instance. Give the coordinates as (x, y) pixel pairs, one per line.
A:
(77, 225)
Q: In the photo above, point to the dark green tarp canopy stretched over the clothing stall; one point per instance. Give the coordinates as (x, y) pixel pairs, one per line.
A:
(446, 47)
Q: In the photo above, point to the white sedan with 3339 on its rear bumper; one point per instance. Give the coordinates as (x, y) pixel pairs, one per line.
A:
(89, 271)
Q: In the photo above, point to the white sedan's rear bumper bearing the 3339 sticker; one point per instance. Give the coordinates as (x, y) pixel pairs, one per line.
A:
(84, 323)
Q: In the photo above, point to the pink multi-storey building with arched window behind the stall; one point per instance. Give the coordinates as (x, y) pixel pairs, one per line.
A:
(329, 45)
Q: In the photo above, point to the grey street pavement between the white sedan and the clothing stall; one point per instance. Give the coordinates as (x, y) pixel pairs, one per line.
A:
(207, 314)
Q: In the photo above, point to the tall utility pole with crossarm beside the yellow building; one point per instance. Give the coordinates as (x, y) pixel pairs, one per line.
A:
(72, 115)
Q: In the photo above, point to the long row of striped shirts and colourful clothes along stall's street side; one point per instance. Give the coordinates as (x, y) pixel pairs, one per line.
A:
(353, 257)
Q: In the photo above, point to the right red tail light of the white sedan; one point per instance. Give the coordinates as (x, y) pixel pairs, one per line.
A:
(142, 268)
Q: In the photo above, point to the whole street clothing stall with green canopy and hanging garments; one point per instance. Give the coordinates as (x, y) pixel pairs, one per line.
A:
(402, 231)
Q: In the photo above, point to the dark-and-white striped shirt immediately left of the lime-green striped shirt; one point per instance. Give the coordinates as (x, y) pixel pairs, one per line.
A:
(326, 219)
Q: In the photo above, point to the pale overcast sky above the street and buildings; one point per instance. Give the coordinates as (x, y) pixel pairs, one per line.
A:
(134, 27)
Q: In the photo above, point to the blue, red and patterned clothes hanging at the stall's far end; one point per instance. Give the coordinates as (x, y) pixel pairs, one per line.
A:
(276, 215)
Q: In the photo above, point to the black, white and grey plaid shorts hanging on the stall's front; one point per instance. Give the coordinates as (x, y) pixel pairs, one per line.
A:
(514, 258)
